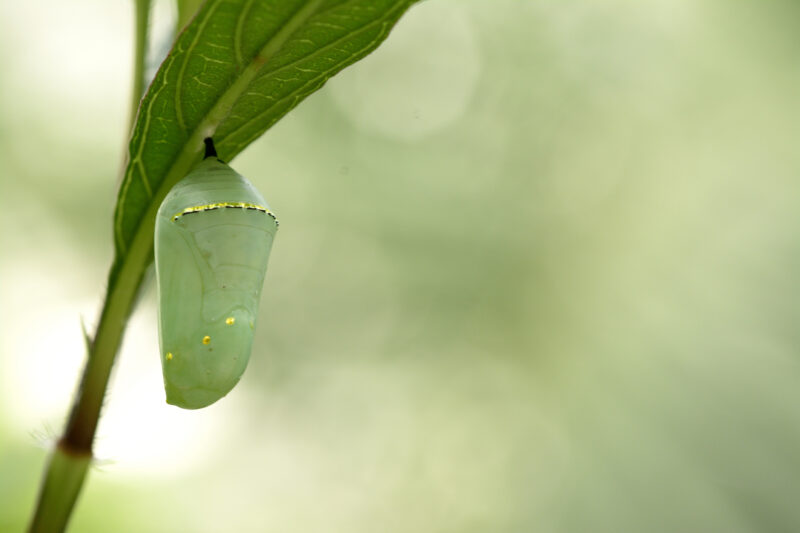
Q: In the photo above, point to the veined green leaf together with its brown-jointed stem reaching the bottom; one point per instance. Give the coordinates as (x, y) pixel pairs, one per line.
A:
(238, 67)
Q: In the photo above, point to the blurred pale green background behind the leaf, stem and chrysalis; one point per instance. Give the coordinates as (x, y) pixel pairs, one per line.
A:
(537, 272)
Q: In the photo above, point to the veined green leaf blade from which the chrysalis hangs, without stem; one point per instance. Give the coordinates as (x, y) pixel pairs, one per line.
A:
(238, 67)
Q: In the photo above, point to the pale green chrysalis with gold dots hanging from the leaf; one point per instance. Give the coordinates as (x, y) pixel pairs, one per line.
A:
(213, 236)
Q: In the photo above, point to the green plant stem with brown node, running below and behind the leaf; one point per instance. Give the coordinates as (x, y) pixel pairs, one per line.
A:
(67, 467)
